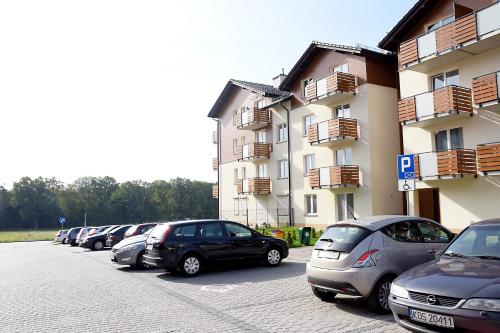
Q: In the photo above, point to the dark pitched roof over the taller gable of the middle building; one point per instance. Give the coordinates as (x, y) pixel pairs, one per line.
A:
(314, 48)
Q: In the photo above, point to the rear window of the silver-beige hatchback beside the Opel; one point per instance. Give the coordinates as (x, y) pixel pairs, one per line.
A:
(342, 238)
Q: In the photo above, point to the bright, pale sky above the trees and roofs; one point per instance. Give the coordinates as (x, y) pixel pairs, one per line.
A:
(122, 88)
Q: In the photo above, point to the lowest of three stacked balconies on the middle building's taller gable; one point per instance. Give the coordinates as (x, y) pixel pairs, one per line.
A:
(338, 176)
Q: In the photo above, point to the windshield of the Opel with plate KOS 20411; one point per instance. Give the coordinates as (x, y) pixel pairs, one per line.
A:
(478, 242)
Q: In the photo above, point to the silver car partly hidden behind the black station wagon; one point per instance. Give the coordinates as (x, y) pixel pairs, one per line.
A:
(130, 251)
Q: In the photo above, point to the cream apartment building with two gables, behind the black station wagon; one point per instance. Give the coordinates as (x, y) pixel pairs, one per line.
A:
(316, 147)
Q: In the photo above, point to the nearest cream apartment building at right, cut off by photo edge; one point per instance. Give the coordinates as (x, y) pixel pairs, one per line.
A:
(449, 63)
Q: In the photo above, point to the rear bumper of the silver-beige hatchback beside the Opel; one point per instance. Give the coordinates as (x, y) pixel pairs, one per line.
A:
(354, 281)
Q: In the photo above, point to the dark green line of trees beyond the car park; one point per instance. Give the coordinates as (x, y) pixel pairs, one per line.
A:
(39, 202)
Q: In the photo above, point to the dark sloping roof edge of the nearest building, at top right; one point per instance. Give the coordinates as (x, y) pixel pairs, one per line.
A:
(407, 22)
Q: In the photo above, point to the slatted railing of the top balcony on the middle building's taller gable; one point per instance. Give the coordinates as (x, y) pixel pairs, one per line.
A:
(334, 83)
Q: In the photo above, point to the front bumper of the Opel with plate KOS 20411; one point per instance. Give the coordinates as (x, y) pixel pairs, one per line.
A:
(463, 319)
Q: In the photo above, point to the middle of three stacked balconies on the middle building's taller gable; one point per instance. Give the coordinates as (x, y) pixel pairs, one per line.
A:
(333, 131)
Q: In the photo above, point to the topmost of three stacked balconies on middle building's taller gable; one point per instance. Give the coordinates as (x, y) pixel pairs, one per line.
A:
(330, 88)
